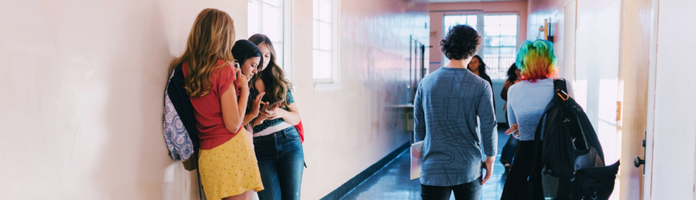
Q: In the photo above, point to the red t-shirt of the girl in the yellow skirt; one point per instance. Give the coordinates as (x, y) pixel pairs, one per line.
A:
(208, 110)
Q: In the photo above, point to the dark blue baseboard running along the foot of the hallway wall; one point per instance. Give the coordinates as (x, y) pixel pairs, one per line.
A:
(362, 176)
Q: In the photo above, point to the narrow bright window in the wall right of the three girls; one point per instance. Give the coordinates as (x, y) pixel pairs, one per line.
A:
(325, 29)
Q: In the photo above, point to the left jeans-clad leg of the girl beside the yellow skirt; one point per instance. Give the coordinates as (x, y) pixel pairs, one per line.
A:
(268, 166)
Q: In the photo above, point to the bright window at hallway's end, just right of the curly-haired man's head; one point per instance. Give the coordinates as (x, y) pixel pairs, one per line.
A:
(499, 44)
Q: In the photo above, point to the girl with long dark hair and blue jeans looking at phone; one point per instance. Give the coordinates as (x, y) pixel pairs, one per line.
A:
(276, 141)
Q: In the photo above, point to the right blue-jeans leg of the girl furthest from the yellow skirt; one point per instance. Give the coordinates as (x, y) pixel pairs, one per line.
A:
(290, 168)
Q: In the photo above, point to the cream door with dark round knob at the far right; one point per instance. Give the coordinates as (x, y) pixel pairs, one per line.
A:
(633, 94)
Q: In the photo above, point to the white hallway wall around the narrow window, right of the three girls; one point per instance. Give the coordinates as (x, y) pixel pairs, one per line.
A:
(351, 128)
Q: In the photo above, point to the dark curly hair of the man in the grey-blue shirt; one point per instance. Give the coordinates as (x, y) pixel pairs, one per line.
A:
(461, 42)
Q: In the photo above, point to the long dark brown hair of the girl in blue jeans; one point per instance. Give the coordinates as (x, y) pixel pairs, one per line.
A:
(272, 76)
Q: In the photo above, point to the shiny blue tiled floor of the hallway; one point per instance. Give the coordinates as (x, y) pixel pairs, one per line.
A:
(392, 181)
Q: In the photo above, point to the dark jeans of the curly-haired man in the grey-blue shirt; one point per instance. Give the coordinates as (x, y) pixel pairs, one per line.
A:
(466, 191)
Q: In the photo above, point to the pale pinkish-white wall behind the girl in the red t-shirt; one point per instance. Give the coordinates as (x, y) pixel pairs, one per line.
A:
(82, 85)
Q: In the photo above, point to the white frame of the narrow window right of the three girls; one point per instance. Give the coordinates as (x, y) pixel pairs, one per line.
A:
(332, 83)
